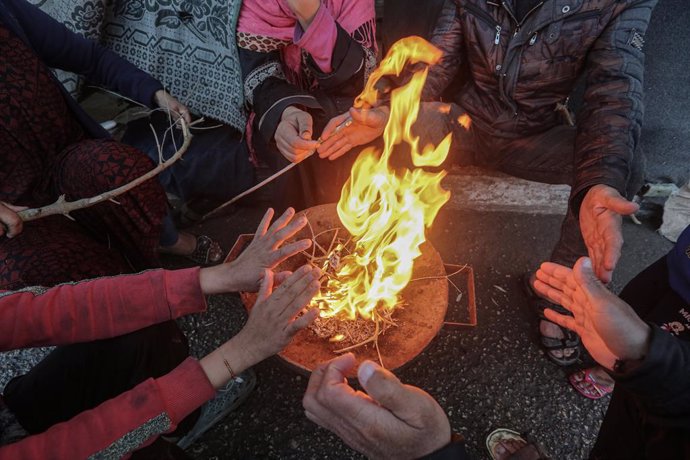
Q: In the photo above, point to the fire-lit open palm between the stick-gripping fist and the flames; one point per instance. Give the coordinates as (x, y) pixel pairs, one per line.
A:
(367, 125)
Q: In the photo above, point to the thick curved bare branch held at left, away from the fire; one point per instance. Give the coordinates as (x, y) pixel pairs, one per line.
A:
(64, 207)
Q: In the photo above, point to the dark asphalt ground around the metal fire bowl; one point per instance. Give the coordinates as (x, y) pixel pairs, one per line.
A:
(488, 376)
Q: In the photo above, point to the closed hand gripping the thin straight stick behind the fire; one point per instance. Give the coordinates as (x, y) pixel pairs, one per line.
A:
(293, 135)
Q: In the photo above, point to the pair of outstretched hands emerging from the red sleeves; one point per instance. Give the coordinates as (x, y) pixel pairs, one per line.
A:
(280, 310)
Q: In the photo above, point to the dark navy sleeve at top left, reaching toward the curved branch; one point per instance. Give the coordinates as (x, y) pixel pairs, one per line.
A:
(57, 47)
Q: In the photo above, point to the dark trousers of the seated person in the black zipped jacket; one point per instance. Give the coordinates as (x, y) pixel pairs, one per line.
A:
(546, 157)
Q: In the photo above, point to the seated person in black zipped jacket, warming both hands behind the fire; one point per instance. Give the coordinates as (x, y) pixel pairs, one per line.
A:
(511, 67)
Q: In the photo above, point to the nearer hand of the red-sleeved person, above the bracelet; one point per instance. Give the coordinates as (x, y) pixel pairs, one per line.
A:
(273, 320)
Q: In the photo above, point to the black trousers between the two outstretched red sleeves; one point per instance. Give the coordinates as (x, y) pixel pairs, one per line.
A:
(79, 377)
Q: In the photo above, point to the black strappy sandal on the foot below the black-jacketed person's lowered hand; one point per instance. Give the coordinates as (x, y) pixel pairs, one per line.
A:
(570, 339)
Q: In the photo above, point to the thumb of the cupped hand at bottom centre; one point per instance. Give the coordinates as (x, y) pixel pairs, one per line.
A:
(384, 387)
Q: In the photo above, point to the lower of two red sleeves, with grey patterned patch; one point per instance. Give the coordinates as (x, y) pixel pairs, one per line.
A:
(123, 424)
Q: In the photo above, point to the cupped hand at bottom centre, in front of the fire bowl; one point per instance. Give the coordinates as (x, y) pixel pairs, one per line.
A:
(390, 420)
